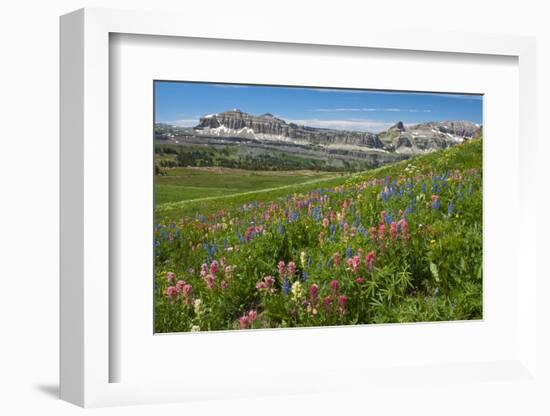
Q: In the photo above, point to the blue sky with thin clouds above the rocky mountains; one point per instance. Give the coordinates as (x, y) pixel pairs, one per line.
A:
(183, 103)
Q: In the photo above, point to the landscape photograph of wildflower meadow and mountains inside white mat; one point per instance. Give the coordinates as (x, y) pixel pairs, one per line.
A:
(310, 206)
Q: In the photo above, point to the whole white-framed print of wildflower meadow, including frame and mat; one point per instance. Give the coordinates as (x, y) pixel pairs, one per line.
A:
(292, 213)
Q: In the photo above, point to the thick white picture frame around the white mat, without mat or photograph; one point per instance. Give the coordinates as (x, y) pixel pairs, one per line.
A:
(85, 210)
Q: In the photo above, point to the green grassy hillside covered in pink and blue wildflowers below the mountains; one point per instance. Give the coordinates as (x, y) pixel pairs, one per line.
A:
(401, 243)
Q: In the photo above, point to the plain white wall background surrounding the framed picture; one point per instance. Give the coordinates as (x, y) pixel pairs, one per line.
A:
(29, 115)
